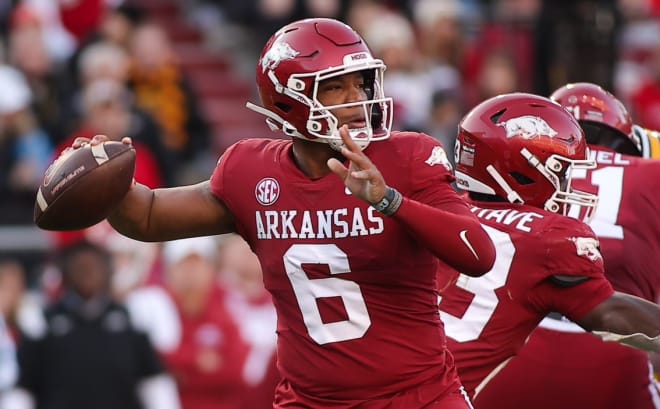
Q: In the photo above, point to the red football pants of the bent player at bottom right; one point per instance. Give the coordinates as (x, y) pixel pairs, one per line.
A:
(572, 371)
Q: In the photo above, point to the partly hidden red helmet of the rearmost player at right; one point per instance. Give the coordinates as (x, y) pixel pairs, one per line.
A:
(602, 116)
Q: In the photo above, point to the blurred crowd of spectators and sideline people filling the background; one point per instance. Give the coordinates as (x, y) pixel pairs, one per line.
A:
(191, 318)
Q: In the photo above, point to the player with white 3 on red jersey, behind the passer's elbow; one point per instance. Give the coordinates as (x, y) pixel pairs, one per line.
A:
(517, 155)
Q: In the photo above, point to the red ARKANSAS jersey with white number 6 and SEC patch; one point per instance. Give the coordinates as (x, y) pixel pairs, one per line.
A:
(353, 291)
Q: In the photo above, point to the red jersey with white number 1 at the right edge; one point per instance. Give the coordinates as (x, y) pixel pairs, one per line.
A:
(625, 220)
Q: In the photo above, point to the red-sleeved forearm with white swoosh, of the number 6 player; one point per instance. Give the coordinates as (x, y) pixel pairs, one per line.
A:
(457, 238)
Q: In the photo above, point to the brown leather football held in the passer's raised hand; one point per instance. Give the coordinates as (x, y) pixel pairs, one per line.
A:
(82, 186)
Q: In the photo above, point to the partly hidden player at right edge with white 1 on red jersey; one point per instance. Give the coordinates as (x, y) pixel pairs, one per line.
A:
(560, 356)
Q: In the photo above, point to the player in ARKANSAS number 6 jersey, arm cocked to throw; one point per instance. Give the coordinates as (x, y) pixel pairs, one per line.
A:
(350, 261)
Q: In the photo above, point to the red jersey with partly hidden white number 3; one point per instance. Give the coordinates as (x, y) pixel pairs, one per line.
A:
(545, 262)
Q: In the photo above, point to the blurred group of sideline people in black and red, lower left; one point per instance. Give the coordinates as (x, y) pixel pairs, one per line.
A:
(127, 324)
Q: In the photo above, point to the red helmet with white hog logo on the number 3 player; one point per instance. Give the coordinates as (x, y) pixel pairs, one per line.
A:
(523, 148)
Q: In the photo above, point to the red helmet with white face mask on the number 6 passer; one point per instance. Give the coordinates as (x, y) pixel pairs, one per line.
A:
(296, 59)
